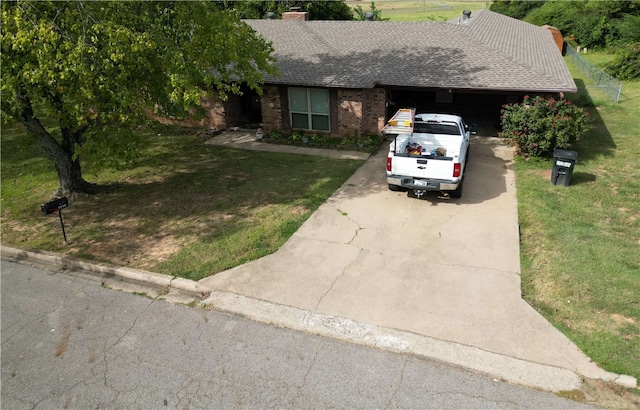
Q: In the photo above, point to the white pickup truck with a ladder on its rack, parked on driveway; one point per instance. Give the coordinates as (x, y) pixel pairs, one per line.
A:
(429, 153)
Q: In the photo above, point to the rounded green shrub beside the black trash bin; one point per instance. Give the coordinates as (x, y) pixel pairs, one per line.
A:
(539, 125)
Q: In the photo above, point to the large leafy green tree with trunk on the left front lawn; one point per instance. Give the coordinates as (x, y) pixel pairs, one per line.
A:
(94, 68)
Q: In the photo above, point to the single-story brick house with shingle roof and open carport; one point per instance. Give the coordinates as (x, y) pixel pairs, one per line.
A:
(348, 77)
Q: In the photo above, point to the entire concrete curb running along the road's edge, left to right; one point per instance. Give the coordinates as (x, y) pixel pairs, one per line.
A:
(503, 367)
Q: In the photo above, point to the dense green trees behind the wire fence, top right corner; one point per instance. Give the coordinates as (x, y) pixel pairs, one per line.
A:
(612, 26)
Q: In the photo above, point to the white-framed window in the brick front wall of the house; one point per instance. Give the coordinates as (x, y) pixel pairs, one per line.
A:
(309, 108)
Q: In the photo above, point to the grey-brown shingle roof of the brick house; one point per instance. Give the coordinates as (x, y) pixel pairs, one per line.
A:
(488, 52)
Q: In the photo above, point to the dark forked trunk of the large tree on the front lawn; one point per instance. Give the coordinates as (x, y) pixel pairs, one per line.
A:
(68, 168)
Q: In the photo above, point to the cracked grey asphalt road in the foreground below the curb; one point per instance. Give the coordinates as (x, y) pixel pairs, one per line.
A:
(69, 343)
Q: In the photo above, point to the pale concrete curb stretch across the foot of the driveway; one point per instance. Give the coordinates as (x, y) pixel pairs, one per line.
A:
(506, 368)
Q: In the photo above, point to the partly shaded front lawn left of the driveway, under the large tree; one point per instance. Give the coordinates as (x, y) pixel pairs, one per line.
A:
(183, 208)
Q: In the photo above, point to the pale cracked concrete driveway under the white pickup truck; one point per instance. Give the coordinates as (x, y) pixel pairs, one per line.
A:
(447, 270)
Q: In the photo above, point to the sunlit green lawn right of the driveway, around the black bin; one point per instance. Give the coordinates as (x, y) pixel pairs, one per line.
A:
(580, 245)
